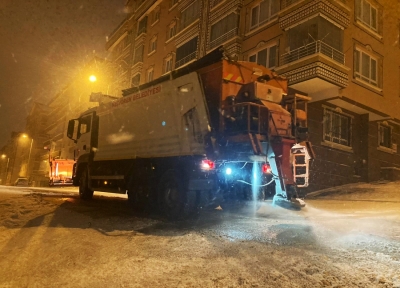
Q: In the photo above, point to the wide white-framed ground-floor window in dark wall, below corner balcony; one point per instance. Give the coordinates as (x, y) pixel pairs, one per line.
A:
(337, 127)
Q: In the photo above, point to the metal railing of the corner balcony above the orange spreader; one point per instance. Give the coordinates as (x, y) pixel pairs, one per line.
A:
(317, 47)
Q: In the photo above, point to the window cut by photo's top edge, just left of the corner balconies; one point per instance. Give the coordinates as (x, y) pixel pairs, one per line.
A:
(263, 12)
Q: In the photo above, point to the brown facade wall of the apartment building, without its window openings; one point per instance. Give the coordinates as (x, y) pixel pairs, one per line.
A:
(329, 81)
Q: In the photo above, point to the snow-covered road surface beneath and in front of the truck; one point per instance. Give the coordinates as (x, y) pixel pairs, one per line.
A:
(348, 237)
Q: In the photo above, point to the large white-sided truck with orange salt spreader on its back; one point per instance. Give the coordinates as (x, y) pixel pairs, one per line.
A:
(216, 132)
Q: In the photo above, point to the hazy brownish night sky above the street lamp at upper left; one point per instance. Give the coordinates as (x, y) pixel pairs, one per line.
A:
(43, 45)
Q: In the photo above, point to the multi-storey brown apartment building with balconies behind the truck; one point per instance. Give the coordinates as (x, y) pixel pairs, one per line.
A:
(344, 54)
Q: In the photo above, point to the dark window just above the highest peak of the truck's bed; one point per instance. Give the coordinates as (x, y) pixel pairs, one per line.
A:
(223, 30)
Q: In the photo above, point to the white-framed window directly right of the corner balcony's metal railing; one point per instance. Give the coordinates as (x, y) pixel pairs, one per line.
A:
(365, 67)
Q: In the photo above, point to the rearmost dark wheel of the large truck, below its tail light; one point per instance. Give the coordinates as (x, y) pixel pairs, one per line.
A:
(171, 196)
